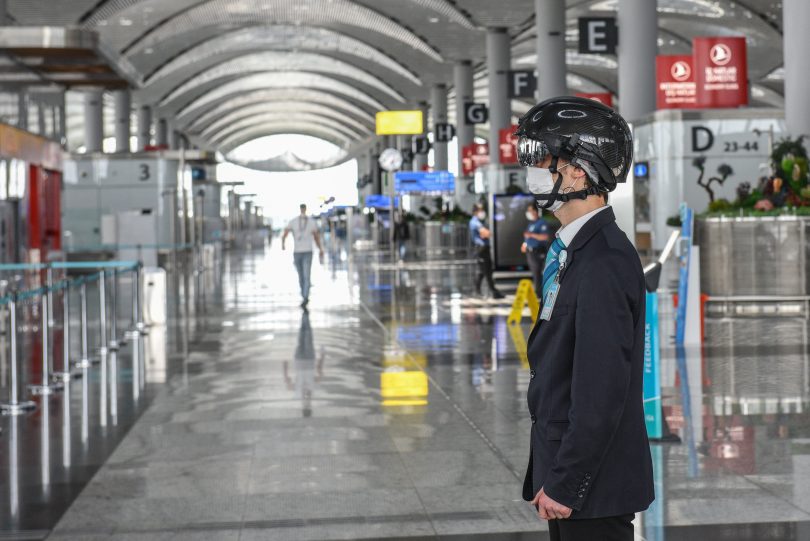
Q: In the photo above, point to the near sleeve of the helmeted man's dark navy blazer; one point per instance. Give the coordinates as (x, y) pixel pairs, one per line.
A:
(604, 330)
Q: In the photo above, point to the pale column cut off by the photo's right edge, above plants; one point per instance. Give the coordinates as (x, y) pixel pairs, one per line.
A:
(796, 13)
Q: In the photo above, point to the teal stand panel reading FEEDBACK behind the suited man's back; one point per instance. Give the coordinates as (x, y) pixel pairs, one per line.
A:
(652, 377)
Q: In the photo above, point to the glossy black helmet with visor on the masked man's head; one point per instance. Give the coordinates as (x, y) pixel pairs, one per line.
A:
(583, 131)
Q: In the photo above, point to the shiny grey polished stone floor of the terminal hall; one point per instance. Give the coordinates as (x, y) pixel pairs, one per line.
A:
(393, 409)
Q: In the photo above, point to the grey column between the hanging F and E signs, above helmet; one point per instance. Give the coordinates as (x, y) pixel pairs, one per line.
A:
(551, 68)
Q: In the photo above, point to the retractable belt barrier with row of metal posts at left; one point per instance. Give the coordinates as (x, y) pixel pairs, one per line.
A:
(109, 341)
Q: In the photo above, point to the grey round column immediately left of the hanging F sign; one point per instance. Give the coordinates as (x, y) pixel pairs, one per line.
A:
(500, 108)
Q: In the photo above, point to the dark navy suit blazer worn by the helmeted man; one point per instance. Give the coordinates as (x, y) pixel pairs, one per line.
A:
(589, 447)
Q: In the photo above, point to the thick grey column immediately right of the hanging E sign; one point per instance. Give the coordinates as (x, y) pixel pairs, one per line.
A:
(638, 45)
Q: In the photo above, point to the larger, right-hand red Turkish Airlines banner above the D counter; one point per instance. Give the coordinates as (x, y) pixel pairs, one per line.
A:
(721, 71)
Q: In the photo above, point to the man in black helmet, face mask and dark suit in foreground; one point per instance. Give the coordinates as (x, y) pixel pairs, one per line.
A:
(589, 468)
